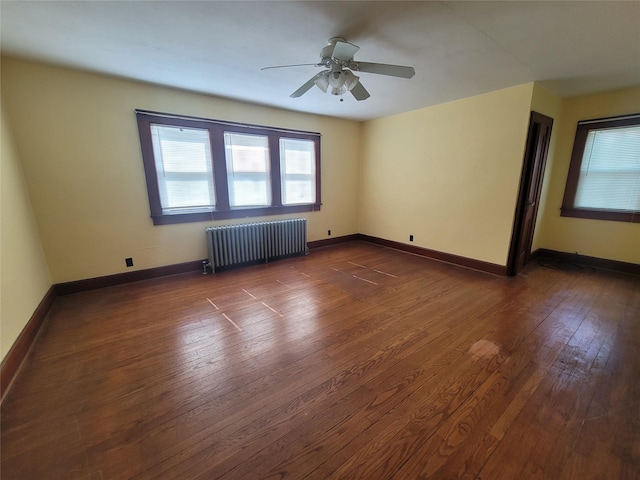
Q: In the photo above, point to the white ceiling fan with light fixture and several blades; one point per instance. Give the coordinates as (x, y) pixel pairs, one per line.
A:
(338, 78)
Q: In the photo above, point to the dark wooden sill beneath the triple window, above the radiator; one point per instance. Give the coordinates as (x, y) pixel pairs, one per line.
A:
(172, 218)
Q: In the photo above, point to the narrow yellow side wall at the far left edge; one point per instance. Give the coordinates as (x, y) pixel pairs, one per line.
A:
(24, 276)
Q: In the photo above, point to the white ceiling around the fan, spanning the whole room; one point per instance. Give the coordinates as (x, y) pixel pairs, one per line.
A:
(458, 49)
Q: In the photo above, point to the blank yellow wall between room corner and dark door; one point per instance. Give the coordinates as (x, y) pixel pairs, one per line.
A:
(447, 174)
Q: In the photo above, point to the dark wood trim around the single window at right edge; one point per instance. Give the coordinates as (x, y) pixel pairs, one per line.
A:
(582, 130)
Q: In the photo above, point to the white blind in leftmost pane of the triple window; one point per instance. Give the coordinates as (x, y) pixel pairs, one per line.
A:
(183, 167)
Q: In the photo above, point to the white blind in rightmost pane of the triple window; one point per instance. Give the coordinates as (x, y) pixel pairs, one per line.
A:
(297, 170)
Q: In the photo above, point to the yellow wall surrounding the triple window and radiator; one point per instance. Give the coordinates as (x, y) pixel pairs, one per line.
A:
(80, 150)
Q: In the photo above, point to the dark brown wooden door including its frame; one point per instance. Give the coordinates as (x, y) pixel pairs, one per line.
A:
(535, 158)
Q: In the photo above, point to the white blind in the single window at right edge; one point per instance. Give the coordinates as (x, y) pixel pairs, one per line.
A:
(610, 170)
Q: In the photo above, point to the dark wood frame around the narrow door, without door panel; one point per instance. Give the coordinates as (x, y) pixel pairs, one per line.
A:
(536, 120)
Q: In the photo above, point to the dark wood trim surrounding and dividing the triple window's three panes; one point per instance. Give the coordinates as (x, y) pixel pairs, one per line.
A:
(216, 130)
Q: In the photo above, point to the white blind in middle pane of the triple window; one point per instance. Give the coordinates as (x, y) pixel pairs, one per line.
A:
(248, 171)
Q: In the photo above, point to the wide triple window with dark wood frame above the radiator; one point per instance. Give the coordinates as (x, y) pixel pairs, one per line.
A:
(199, 169)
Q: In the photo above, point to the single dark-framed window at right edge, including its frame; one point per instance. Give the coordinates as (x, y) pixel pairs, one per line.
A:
(604, 176)
